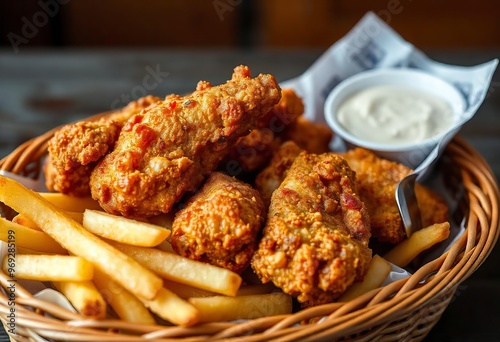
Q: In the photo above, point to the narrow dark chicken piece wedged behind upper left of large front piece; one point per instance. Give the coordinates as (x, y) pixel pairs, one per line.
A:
(275, 172)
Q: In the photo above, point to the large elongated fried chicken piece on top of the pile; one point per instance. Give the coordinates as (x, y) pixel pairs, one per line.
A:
(168, 150)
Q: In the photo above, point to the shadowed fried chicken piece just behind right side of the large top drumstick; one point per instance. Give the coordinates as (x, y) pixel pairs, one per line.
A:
(253, 151)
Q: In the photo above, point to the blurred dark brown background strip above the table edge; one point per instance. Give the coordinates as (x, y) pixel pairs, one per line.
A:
(241, 23)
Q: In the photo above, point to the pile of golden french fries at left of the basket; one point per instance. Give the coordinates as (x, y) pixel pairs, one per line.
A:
(98, 260)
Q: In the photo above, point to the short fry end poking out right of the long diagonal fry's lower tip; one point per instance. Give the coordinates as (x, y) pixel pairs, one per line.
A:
(172, 308)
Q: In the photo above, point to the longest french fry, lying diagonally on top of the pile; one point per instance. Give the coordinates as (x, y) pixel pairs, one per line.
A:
(78, 241)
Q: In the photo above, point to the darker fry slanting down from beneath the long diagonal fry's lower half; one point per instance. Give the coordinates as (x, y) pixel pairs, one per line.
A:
(125, 305)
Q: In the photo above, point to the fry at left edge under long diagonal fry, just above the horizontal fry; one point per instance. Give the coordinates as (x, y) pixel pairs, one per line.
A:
(23, 236)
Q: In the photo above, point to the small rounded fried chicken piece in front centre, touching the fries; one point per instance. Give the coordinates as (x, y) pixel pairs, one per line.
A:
(219, 224)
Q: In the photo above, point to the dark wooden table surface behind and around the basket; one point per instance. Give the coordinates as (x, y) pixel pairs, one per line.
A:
(42, 89)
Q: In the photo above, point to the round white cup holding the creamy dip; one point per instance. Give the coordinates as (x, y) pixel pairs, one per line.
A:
(412, 153)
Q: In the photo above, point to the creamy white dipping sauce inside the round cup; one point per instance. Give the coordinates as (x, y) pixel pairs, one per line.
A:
(394, 115)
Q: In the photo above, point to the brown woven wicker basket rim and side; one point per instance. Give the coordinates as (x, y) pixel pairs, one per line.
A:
(405, 310)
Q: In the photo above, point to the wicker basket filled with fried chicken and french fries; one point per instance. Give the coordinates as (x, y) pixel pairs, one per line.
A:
(227, 214)
